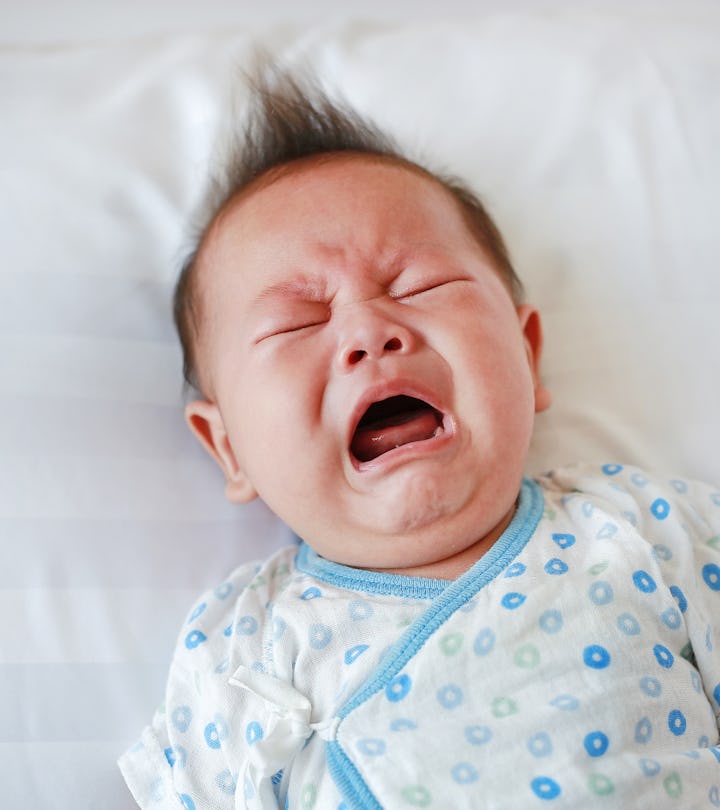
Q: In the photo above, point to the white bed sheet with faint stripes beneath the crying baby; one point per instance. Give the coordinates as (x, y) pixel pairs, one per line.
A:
(592, 132)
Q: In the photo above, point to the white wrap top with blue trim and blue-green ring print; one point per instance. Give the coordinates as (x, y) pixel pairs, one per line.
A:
(576, 665)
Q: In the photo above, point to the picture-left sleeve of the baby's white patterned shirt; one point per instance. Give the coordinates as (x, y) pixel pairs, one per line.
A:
(185, 759)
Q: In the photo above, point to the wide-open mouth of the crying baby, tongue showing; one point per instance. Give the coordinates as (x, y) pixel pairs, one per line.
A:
(392, 423)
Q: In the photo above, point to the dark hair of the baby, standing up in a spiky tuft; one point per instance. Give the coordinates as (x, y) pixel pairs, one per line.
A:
(291, 118)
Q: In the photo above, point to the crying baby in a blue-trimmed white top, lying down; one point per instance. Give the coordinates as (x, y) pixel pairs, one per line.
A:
(449, 634)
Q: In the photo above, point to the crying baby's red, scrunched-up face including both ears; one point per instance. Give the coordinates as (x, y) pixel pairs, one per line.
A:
(372, 379)
